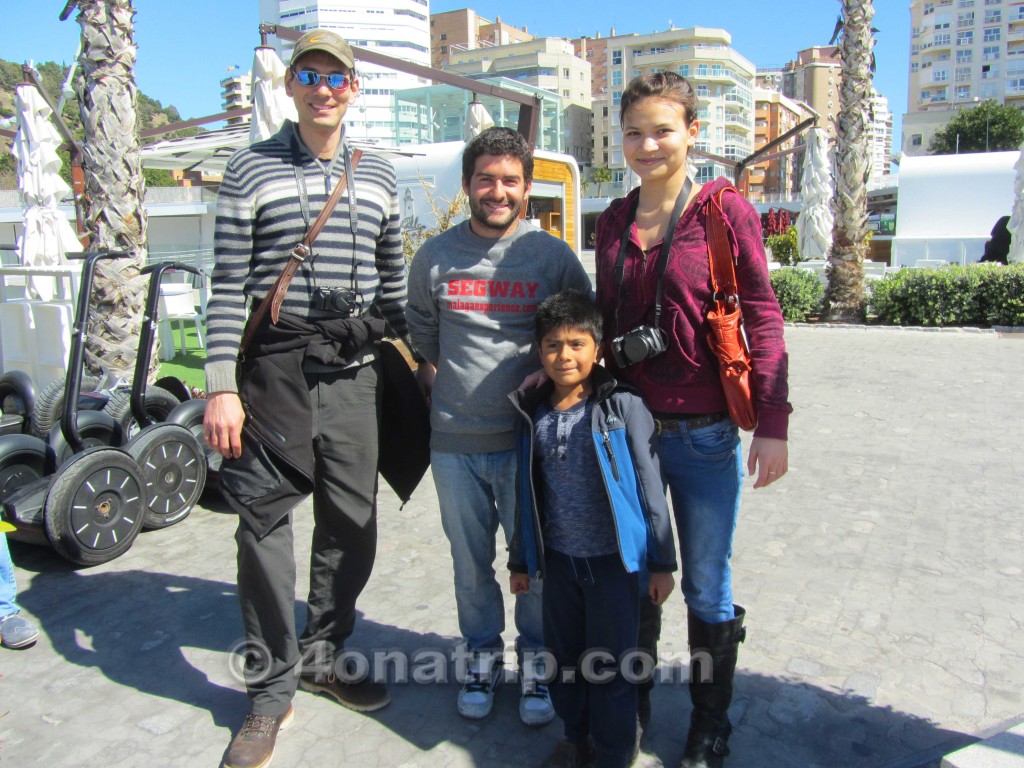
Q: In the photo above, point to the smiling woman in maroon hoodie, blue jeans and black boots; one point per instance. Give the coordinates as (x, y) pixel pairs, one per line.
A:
(659, 329)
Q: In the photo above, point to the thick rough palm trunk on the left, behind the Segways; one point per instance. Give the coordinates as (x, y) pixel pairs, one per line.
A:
(114, 184)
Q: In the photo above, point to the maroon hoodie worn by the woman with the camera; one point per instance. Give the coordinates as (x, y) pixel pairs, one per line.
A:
(686, 378)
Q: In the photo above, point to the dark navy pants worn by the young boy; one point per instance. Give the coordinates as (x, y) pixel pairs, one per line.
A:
(591, 619)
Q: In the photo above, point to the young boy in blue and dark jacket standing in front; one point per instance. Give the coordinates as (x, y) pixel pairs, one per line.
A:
(591, 516)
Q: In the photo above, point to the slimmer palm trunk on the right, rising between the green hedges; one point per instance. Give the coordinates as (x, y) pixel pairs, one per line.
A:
(845, 295)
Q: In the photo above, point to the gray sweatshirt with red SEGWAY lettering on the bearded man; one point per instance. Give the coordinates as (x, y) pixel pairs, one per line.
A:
(471, 312)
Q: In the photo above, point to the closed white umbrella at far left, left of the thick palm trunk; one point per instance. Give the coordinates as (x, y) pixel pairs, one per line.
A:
(47, 236)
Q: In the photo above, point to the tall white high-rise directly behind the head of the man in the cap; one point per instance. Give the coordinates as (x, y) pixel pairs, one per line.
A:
(395, 28)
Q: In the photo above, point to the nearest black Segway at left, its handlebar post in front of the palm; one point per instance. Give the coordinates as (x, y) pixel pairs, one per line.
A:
(88, 505)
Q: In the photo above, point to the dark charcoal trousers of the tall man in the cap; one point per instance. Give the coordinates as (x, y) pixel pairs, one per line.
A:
(346, 426)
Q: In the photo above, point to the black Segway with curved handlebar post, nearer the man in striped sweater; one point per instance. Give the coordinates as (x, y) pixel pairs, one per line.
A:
(169, 456)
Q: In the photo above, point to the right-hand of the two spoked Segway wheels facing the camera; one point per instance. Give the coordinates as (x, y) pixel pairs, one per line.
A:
(174, 466)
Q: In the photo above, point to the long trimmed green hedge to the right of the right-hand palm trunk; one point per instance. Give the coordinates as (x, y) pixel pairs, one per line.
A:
(983, 295)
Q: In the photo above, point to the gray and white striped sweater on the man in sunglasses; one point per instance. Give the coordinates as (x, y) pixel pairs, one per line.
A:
(260, 222)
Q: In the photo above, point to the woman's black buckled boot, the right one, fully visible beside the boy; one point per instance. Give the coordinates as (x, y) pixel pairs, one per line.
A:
(711, 690)
